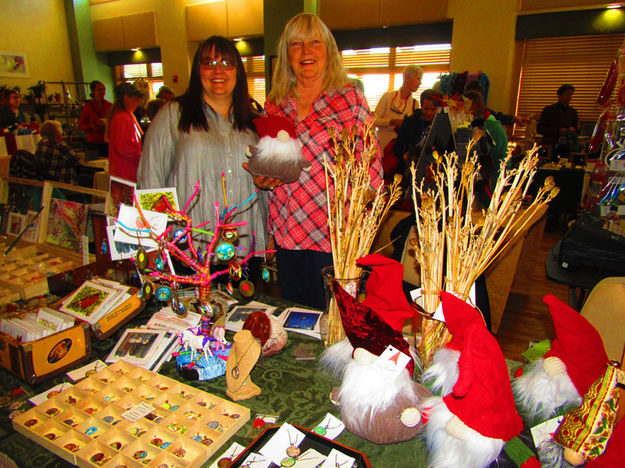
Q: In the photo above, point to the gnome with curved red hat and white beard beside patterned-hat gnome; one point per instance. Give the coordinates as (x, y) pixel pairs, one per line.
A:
(577, 358)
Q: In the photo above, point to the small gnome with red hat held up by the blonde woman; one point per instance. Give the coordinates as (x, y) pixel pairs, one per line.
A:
(278, 153)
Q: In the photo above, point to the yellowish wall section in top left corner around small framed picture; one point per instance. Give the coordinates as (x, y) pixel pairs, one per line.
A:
(37, 28)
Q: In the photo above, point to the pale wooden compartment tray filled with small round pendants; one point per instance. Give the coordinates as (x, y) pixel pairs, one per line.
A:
(84, 424)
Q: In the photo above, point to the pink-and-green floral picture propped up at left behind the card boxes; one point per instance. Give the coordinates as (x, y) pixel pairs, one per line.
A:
(67, 223)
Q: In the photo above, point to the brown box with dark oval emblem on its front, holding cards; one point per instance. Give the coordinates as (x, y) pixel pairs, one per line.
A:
(36, 361)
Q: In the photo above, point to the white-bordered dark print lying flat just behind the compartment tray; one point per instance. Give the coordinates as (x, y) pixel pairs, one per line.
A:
(137, 346)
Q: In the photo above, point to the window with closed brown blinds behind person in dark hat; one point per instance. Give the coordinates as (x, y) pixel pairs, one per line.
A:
(582, 61)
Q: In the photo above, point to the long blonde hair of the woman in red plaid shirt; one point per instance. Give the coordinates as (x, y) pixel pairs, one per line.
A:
(305, 26)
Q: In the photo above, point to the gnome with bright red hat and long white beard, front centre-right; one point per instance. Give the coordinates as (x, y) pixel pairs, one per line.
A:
(469, 425)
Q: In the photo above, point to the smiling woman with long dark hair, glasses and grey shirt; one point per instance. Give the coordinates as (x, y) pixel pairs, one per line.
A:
(204, 133)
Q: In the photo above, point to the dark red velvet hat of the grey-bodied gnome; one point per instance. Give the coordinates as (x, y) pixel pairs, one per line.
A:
(366, 329)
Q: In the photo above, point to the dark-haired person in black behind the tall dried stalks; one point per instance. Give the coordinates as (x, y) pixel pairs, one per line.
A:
(412, 134)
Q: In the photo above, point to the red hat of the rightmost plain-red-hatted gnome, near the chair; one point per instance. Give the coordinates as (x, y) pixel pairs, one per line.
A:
(577, 344)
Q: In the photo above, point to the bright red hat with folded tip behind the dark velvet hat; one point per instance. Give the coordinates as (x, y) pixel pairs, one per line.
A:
(385, 293)
